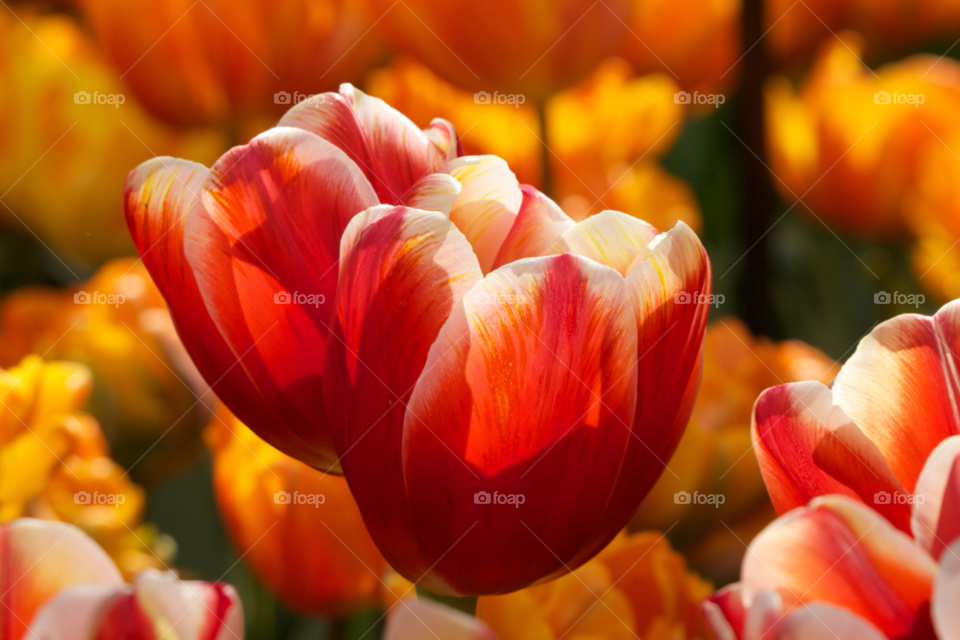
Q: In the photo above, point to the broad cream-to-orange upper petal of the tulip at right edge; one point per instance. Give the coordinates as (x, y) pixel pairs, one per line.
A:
(904, 374)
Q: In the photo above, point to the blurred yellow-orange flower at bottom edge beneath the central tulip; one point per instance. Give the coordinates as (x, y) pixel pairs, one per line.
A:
(637, 587)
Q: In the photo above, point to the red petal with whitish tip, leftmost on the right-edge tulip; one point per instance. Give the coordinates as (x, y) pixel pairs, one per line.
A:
(808, 447)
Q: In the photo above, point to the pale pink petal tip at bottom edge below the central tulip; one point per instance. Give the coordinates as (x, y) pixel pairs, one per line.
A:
(426, 620)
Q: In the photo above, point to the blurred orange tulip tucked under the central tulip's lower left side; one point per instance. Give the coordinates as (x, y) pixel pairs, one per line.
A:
(299, 529)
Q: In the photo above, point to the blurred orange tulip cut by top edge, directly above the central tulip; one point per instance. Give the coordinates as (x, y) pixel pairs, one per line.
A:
(507, 46)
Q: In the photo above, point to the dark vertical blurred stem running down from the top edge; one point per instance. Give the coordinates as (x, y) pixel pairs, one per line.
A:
(757, 193)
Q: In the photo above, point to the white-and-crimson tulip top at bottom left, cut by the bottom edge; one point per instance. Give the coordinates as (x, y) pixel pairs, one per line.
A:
(156, 605)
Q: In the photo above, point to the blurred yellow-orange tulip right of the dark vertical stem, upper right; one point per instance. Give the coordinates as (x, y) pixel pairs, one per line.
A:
(849, 143)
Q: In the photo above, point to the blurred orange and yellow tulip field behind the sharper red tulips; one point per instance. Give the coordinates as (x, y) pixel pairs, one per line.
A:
(813, 145)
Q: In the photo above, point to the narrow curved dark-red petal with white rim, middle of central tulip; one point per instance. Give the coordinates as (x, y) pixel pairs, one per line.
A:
(402, 271)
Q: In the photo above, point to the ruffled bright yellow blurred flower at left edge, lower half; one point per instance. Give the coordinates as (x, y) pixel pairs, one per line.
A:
(54, 464)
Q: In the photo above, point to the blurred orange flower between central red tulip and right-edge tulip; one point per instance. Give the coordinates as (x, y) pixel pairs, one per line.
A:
(715, 455)
